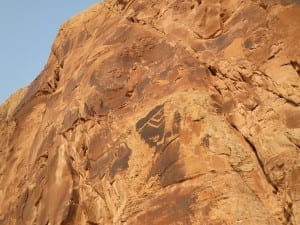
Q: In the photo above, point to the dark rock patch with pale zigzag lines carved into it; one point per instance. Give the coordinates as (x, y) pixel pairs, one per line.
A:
(151, 127)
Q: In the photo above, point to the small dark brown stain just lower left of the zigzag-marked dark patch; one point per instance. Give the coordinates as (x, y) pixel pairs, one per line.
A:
(121, 161)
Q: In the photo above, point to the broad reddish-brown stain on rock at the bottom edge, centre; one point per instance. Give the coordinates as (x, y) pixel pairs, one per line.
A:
(171, 208)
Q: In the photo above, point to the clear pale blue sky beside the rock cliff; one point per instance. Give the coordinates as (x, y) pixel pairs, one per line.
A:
(27, 30)
